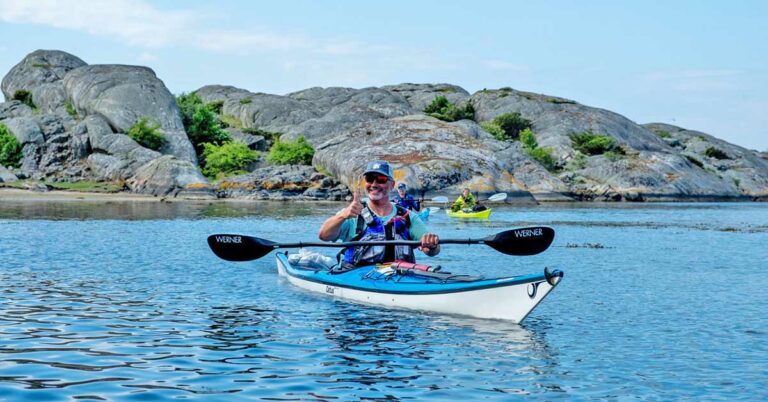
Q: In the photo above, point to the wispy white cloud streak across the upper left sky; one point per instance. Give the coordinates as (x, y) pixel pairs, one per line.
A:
(138, 23)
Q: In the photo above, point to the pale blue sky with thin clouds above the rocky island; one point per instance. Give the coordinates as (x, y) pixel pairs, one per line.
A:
(701, 65)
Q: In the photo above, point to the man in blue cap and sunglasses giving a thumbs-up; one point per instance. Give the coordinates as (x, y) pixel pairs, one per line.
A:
(378, 219)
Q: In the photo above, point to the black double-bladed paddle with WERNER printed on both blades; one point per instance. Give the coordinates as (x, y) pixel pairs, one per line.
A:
(523, 241)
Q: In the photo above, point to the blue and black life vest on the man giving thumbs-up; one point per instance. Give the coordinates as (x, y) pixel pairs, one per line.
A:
(395, 229)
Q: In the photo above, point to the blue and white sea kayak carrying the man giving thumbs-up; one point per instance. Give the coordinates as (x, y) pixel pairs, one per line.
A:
(511, 298)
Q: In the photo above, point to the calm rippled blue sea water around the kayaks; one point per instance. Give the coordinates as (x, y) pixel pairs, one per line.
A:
(124, 301)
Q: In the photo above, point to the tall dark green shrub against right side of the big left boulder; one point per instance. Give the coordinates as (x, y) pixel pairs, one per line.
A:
(201, 122)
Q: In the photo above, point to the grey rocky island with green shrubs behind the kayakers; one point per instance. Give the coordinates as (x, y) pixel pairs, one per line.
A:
(69, 125)
